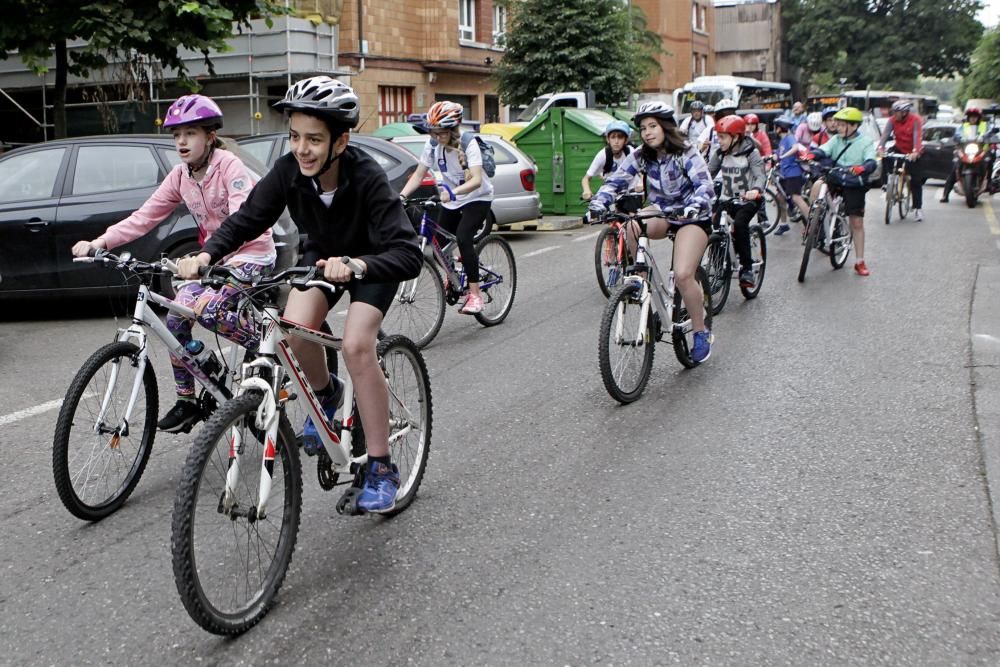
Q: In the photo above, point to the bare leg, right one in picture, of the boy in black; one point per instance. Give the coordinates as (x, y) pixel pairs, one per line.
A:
(360, 334)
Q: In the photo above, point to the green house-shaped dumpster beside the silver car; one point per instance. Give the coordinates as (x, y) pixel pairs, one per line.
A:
(563, 143)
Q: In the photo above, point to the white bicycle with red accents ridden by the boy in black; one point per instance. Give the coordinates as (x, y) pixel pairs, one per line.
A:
(237, 510)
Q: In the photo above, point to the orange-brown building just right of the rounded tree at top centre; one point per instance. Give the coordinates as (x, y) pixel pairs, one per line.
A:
(688, 31)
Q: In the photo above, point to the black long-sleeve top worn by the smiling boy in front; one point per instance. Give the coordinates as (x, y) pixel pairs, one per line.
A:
(366, 220)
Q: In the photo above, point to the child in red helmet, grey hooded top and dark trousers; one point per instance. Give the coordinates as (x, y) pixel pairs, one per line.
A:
(742, 169)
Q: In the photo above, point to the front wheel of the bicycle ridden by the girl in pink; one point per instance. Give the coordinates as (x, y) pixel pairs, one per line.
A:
(101, 446)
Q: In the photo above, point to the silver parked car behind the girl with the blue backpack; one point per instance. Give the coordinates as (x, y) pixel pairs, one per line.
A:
(514, 195)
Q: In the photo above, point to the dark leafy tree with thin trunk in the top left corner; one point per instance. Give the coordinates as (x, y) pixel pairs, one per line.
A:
(119, 31)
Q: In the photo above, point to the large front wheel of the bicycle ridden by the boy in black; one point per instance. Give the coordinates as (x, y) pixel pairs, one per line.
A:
(230, 560)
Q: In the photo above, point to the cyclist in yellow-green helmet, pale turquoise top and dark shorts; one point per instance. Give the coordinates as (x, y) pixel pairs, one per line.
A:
(856, 153)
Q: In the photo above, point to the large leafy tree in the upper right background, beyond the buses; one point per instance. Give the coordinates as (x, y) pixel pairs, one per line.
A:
(882, 43)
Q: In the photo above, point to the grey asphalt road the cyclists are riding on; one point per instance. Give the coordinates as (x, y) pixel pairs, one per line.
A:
(814, 494)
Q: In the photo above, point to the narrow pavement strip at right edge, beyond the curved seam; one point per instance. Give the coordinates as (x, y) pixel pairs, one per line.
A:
(984, 333)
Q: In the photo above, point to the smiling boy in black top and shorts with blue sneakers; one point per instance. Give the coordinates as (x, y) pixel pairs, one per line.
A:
(341, 198)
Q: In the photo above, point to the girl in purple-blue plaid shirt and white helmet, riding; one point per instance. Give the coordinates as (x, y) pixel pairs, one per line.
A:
(678, 184)
